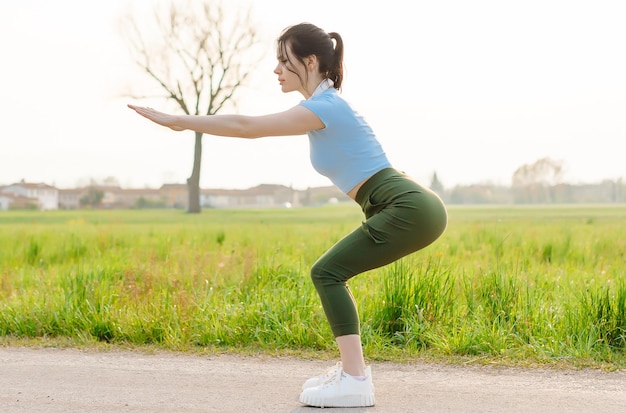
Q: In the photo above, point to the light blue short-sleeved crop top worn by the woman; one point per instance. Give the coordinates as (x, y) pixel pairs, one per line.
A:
(346, 151)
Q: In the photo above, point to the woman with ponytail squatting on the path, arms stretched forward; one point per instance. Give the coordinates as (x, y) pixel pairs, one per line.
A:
(401, 216)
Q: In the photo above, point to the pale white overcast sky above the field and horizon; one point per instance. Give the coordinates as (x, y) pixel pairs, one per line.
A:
(469, 90)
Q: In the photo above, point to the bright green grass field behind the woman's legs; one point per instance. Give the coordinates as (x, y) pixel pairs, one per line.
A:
(511, 285)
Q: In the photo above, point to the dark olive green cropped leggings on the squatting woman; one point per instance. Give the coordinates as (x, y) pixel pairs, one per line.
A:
(401, 217)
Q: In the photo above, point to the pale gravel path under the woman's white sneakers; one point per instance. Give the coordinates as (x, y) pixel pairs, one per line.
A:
(54, 381)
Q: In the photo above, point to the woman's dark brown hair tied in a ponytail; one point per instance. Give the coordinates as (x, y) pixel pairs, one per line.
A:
(306, 39)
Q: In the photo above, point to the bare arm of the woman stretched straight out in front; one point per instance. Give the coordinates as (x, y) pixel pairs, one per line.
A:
(295, 121)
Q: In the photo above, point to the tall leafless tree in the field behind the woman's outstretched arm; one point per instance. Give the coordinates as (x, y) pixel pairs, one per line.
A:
(199, 57)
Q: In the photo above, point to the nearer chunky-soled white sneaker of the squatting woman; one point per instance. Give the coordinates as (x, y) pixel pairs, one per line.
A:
(340, 390)
